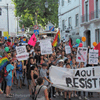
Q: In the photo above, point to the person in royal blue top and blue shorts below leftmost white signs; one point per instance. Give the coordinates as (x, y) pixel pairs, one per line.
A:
(19, 73)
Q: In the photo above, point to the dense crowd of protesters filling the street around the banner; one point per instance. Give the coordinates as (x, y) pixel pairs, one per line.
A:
(36, 69)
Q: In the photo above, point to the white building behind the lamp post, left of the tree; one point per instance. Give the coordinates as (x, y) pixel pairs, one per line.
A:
(11, 21)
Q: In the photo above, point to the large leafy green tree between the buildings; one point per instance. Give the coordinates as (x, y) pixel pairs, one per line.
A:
(31, 10)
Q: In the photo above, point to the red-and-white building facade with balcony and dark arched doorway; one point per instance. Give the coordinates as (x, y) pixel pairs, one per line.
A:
(90, 21)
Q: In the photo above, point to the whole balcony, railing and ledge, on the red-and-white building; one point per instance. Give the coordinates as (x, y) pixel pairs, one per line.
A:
(92, 17)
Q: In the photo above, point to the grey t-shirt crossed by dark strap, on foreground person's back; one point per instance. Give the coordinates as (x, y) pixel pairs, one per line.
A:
(41, 95)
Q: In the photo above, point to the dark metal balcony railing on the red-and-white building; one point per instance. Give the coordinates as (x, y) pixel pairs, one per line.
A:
(88, 17)
